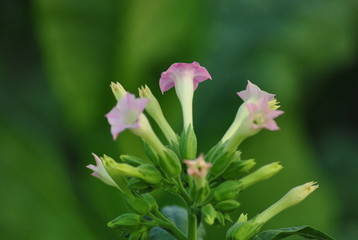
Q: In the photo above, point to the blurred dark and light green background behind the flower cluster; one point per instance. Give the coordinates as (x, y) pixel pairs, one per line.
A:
(57, 58)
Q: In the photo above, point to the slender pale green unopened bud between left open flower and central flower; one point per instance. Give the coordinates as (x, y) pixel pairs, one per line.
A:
(155, 111)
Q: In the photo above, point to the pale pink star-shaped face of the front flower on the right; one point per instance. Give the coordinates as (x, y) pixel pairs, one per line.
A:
(262, 115)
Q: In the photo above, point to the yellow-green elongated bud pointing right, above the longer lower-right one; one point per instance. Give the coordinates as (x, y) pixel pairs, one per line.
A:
(261, 174)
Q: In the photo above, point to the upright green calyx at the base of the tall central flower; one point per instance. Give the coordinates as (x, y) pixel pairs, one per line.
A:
(188, 144)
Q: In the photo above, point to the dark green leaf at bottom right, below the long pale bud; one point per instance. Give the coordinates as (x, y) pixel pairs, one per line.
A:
(303, 231)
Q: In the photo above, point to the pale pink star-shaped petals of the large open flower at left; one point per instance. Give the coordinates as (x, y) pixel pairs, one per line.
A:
(126, 114)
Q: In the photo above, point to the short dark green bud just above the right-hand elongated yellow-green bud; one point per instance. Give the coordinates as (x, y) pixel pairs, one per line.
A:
(238, 168)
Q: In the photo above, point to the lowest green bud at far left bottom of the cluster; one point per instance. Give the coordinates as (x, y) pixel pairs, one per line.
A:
(126, 222)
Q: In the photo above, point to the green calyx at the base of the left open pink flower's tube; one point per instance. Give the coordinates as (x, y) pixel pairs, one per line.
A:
(170, 164)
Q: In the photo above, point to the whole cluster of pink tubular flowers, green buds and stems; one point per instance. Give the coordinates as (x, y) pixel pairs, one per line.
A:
(210, 183)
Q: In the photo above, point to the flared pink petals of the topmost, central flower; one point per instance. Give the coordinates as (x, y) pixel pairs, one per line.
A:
(179, 71)
